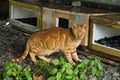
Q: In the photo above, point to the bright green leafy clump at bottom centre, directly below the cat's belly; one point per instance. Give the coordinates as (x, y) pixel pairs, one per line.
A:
(62, 70)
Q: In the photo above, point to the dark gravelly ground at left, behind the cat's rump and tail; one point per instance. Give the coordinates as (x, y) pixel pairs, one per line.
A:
(12, 44)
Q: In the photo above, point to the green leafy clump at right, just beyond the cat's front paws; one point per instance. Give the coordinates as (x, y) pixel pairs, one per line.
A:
(90, 66)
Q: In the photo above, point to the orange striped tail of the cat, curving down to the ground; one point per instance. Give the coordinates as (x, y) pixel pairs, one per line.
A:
(23, 56)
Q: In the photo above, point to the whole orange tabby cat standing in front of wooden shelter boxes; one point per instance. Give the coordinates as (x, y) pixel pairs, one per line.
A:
(46, 42)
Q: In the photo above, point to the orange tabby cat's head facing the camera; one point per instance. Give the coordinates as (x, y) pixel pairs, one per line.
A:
(79, 31)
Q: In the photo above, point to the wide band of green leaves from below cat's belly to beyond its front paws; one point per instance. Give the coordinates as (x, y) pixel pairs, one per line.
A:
(59, 69)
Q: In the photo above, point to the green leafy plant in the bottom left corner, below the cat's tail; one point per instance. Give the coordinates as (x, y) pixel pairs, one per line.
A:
(16, 71)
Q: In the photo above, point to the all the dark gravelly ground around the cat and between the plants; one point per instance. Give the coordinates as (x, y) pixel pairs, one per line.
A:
(12, 44)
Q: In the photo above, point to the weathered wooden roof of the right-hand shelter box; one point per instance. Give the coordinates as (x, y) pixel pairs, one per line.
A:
(111, 20)
